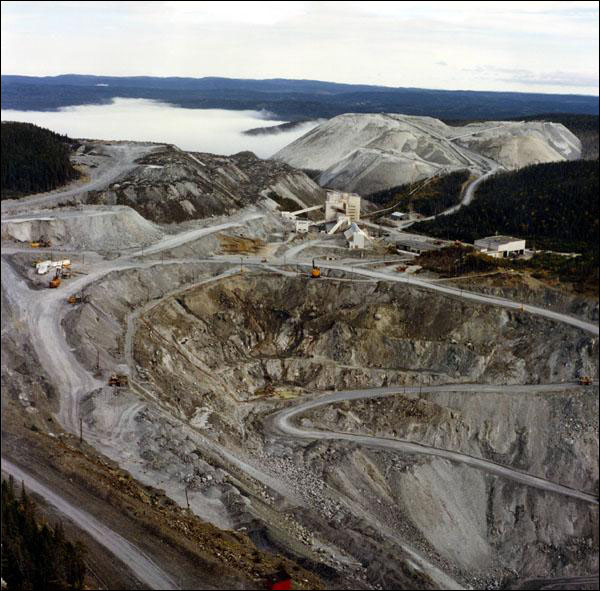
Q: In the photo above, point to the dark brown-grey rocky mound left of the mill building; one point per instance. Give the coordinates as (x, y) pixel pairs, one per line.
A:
(170, 185)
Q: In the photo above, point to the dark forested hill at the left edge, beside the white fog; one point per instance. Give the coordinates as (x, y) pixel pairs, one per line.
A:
(34, 159)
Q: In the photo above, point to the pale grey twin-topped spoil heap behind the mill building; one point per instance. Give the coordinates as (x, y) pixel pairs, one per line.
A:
(373, 152)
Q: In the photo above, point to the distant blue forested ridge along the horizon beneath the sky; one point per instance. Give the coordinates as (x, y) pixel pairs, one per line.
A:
(283, 98)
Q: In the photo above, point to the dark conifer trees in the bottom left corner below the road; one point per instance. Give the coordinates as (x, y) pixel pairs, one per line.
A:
(35, 556)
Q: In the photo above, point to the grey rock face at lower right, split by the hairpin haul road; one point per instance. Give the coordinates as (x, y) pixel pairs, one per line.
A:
(474, 520)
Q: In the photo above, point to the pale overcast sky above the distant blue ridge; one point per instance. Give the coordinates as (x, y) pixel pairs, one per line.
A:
(519, 46)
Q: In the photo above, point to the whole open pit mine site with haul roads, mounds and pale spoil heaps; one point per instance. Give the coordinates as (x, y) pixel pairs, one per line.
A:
(230, 398)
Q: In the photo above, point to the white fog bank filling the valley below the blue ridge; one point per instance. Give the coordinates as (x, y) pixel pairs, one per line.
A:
(200, 130)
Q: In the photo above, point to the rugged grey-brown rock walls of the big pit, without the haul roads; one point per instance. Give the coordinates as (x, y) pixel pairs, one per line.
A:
(222, 356)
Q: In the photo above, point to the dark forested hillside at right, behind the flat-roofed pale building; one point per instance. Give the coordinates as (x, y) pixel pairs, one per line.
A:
(553, 205)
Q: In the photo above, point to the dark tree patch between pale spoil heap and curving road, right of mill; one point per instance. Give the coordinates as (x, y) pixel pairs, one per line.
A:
(429, 199)
